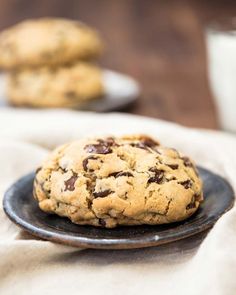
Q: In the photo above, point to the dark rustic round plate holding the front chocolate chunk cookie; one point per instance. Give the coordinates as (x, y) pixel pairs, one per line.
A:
(23, 210)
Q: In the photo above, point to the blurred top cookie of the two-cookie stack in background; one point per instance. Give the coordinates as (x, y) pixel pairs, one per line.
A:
(47, 41)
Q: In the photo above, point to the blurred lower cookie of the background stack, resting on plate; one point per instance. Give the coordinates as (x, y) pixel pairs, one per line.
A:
(55, 87)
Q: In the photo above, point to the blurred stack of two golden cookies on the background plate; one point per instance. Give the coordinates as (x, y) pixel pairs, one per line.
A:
(49, 63)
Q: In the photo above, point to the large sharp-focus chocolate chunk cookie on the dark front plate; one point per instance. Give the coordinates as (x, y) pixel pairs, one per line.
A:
(118, 181)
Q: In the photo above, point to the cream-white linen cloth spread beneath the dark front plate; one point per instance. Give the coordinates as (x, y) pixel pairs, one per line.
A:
(32, 266)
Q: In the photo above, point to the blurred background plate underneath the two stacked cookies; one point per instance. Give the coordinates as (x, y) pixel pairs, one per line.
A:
(121, 91)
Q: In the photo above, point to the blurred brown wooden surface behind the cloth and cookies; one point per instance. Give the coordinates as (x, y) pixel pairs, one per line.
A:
(160, 43)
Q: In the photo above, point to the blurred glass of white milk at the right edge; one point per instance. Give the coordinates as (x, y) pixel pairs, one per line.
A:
(221, 51)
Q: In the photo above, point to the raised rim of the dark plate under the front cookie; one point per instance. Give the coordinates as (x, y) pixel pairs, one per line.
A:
(114, 243)
